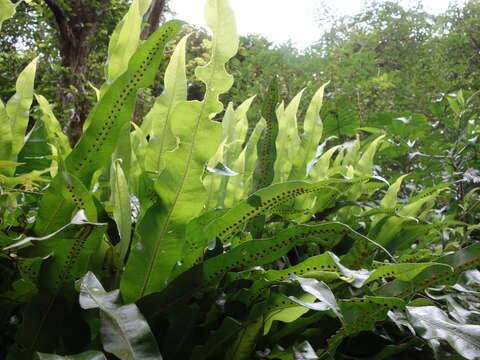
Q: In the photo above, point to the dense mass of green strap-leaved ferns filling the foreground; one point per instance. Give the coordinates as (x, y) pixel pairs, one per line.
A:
(184, 238)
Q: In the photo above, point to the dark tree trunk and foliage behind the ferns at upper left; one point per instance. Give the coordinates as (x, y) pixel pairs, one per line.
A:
(71, 37)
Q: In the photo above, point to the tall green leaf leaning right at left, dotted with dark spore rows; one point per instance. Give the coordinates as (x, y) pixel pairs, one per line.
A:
(108, 118)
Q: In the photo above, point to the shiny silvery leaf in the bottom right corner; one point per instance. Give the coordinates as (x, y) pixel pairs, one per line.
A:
(431, 323)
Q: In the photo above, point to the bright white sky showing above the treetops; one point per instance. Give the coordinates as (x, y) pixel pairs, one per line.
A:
(282, 20)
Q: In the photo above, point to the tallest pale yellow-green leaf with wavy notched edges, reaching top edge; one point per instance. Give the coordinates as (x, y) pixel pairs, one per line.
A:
(180, 186)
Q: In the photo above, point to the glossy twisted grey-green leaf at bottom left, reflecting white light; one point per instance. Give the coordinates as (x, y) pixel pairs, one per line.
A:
(125, 332)
